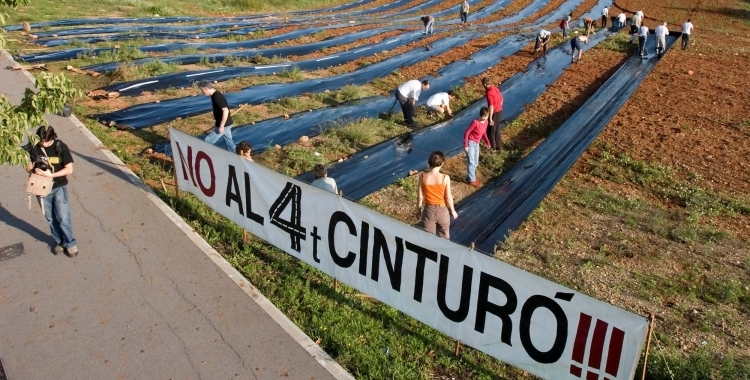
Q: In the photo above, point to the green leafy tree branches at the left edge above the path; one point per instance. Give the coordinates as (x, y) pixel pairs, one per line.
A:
(17, 122)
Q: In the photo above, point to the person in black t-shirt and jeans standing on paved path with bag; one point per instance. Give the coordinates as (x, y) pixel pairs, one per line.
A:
(51, 158)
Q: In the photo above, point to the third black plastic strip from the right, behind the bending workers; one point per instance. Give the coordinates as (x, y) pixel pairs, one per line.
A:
(282, 131)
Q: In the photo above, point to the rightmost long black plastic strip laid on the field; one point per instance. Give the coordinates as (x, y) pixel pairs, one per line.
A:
(501, 206)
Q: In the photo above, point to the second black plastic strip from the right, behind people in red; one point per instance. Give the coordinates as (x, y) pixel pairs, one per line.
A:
(374, 168)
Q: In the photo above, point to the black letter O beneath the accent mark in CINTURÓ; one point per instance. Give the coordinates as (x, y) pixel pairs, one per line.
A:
(561, 339)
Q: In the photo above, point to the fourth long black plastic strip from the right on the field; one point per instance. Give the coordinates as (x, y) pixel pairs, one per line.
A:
(146, 115)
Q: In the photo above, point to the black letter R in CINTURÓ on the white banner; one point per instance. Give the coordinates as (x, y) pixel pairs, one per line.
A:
(484, 306)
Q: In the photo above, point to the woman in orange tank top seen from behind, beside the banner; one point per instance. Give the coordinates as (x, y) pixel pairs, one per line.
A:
(436, 195)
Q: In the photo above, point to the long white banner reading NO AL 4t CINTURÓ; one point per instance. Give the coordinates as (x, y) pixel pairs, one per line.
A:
(520, 318)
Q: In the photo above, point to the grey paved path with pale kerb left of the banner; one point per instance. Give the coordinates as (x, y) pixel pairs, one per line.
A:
(146, 298)
